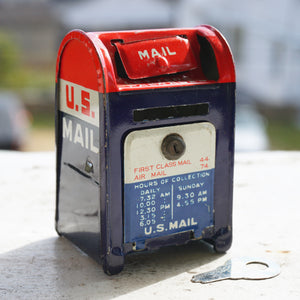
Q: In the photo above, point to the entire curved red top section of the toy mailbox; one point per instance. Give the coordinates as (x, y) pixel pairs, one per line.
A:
(145, 59)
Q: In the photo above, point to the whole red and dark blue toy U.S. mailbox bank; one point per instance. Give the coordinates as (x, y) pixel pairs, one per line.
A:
(145, 140)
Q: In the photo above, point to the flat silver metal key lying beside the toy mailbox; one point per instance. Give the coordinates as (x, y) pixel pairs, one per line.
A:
(240, 268)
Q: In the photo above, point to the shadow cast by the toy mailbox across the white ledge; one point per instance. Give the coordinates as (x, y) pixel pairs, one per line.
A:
(54, 268)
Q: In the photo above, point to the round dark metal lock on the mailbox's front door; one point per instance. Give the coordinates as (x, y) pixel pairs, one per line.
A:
(173, 146)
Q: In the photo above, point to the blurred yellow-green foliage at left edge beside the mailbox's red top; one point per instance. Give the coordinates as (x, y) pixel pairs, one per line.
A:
(14, 75)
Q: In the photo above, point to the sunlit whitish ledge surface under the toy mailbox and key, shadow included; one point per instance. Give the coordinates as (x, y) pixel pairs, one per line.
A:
(37, 264)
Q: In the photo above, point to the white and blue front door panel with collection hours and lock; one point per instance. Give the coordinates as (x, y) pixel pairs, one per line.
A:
(169, 181)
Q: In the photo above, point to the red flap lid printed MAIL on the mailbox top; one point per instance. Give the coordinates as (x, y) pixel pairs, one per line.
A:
(155, 57)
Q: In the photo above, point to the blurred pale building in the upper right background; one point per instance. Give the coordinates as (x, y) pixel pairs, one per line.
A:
(265, 39)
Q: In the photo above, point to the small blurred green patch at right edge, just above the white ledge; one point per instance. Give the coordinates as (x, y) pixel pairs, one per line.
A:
(283, 135)
